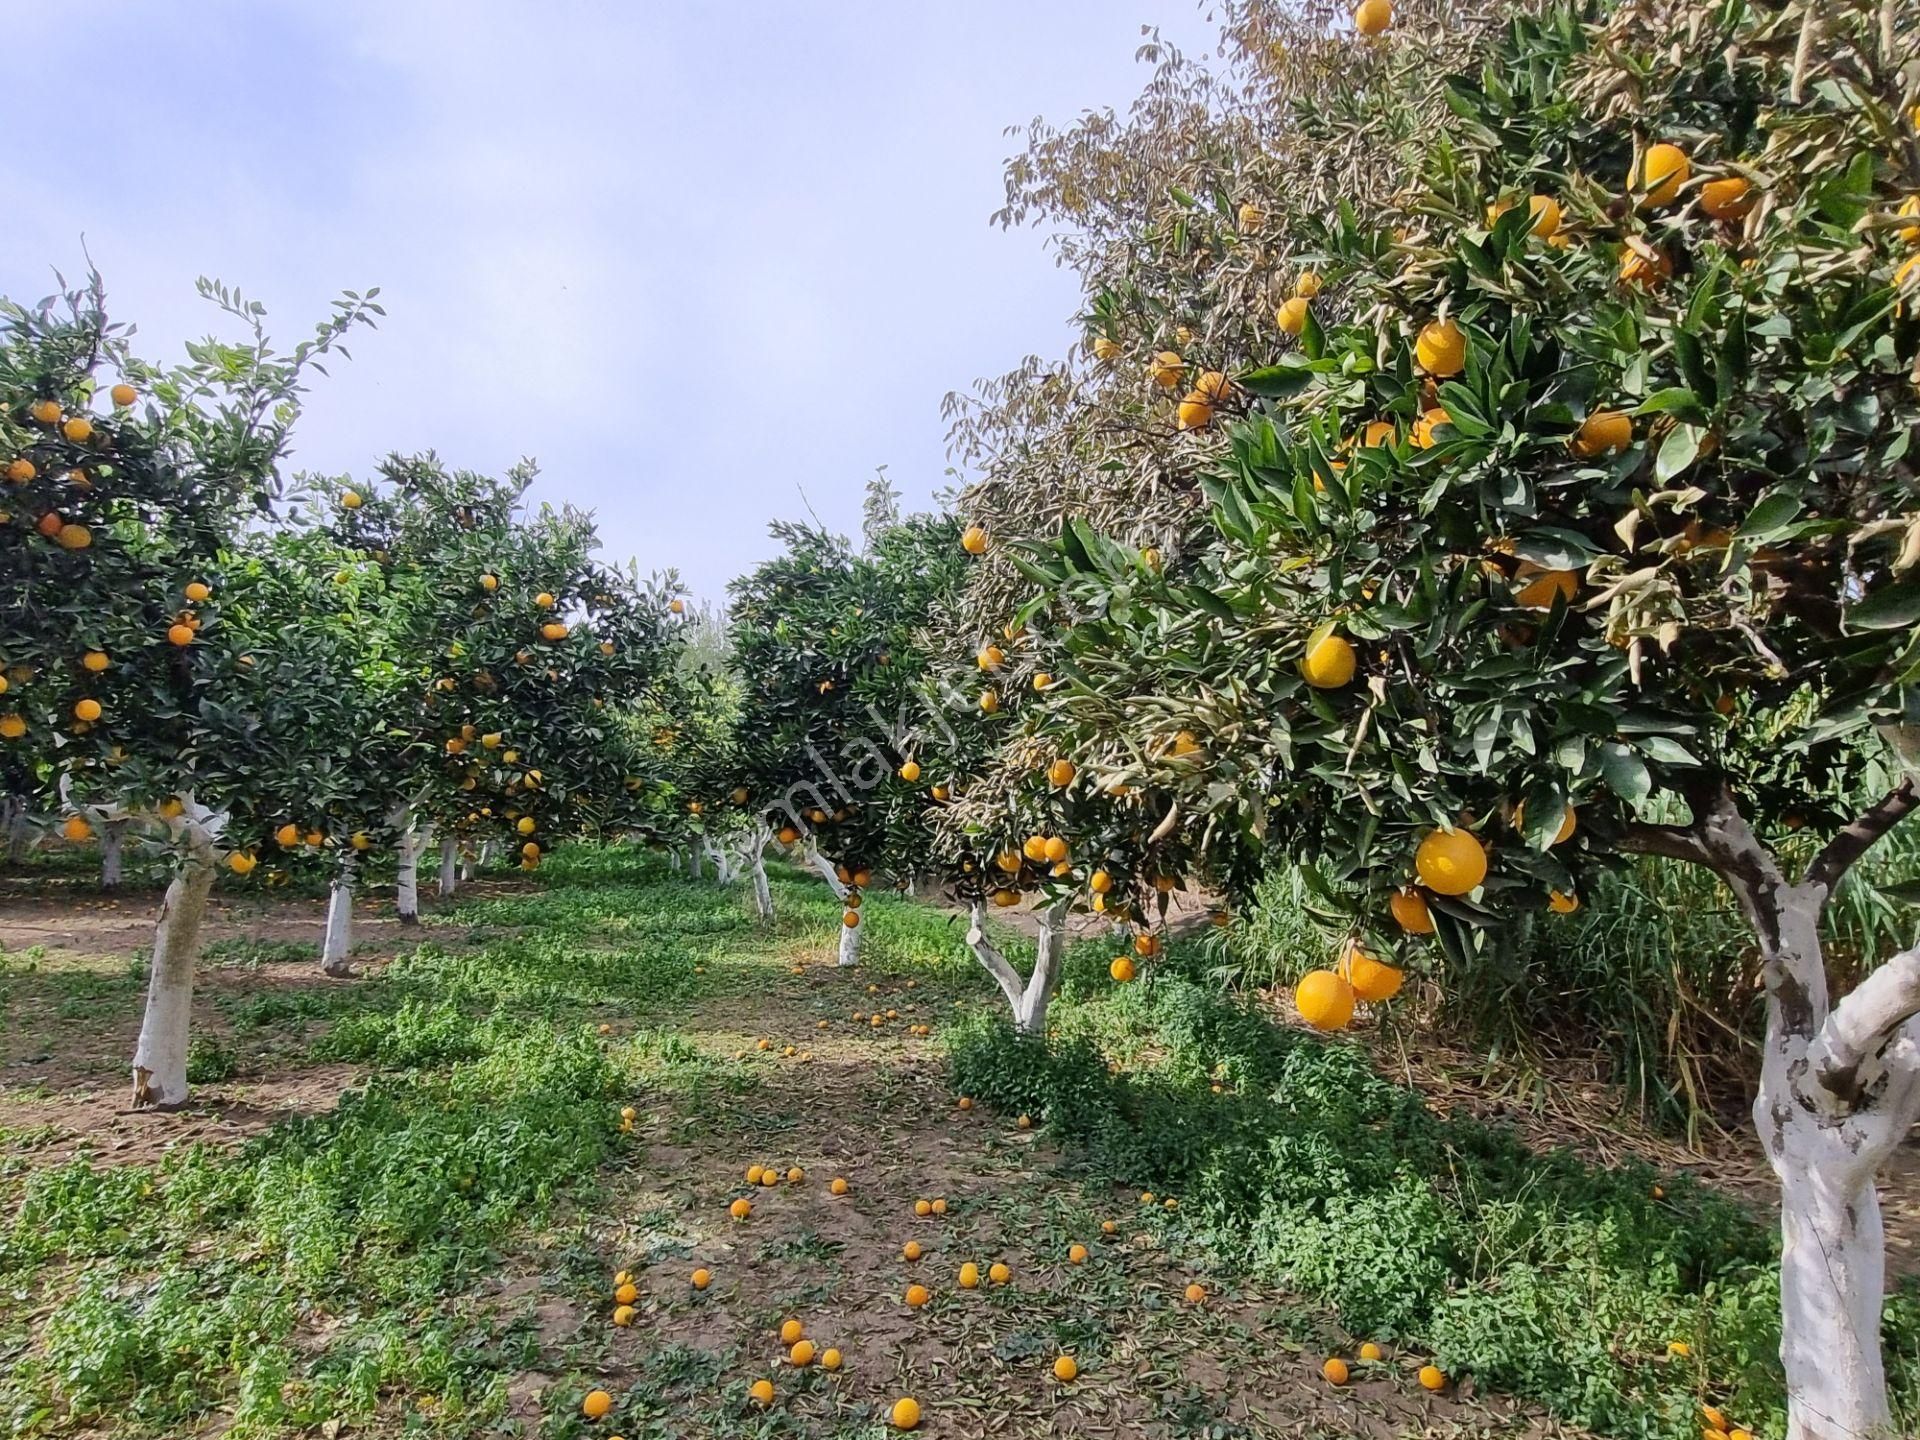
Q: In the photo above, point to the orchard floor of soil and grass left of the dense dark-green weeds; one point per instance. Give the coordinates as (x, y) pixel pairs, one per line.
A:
(502, 1326)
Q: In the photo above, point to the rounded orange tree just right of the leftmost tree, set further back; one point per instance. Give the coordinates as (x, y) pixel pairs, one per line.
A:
(514, 658)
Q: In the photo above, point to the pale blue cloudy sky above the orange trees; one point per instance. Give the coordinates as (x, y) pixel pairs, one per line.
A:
(708, 266)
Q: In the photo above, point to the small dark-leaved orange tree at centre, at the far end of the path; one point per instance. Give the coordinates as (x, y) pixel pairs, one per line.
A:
(832, 736)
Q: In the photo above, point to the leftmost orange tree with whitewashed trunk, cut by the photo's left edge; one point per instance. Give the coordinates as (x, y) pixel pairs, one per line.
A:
(124, 491)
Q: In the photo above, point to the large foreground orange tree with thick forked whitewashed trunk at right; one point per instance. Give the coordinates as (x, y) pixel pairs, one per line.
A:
(1572, 516)
